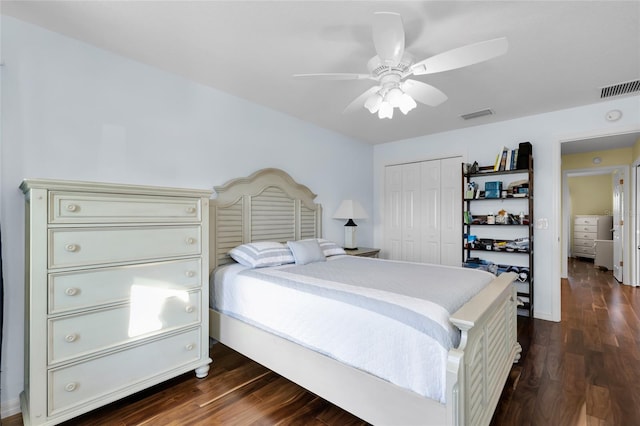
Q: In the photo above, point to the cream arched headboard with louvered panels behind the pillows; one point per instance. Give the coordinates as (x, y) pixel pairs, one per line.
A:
(266, 206)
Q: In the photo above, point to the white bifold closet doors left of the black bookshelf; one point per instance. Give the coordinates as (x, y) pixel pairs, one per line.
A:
(421, 212)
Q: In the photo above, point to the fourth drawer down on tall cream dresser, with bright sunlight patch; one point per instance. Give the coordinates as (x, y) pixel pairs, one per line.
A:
(152, 311)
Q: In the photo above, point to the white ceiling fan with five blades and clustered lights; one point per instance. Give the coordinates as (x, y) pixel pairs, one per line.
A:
(392, 65)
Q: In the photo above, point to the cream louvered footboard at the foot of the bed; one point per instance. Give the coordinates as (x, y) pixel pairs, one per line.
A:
(478, 369)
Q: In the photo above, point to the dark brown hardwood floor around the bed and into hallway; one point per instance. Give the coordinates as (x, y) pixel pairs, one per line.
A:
(584, 370)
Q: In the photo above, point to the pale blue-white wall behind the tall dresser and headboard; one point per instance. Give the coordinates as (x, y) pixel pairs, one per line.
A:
(72, 111)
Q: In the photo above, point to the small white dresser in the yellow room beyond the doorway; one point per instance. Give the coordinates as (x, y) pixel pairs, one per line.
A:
(586, 230)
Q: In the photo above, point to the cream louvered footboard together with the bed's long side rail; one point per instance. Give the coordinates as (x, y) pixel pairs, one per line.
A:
(476, 370)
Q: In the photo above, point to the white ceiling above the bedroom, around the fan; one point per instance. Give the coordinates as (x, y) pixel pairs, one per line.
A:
(561, 53)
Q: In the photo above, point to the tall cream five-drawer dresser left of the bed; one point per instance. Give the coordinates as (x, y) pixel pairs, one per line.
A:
(116, 293)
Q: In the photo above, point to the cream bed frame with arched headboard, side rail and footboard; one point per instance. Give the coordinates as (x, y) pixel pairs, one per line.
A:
(270, 206)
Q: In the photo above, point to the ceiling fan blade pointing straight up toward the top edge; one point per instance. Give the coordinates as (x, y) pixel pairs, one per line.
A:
(388, 37)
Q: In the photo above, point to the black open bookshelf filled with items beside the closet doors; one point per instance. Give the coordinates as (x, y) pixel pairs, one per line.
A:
(498, 225)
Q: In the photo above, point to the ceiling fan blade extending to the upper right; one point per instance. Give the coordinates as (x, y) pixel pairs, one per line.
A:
(462, 56)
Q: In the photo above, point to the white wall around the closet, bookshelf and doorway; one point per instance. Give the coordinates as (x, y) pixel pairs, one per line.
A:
(482, 143)
